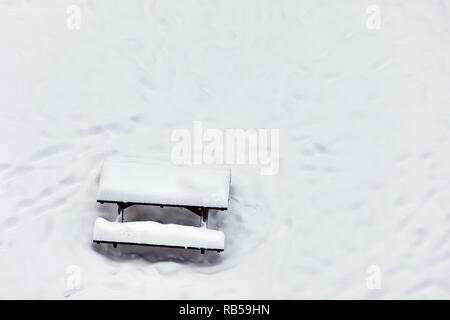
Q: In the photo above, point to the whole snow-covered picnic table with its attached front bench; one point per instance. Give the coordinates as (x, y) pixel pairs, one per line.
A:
(128, 183)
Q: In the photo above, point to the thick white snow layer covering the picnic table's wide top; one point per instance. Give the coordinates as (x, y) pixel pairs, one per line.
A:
(144, 182)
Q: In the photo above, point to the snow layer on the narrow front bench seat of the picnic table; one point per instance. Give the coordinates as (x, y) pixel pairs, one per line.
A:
(150, 232)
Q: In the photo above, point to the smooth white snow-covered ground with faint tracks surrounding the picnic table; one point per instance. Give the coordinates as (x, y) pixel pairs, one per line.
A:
(360, 205)
